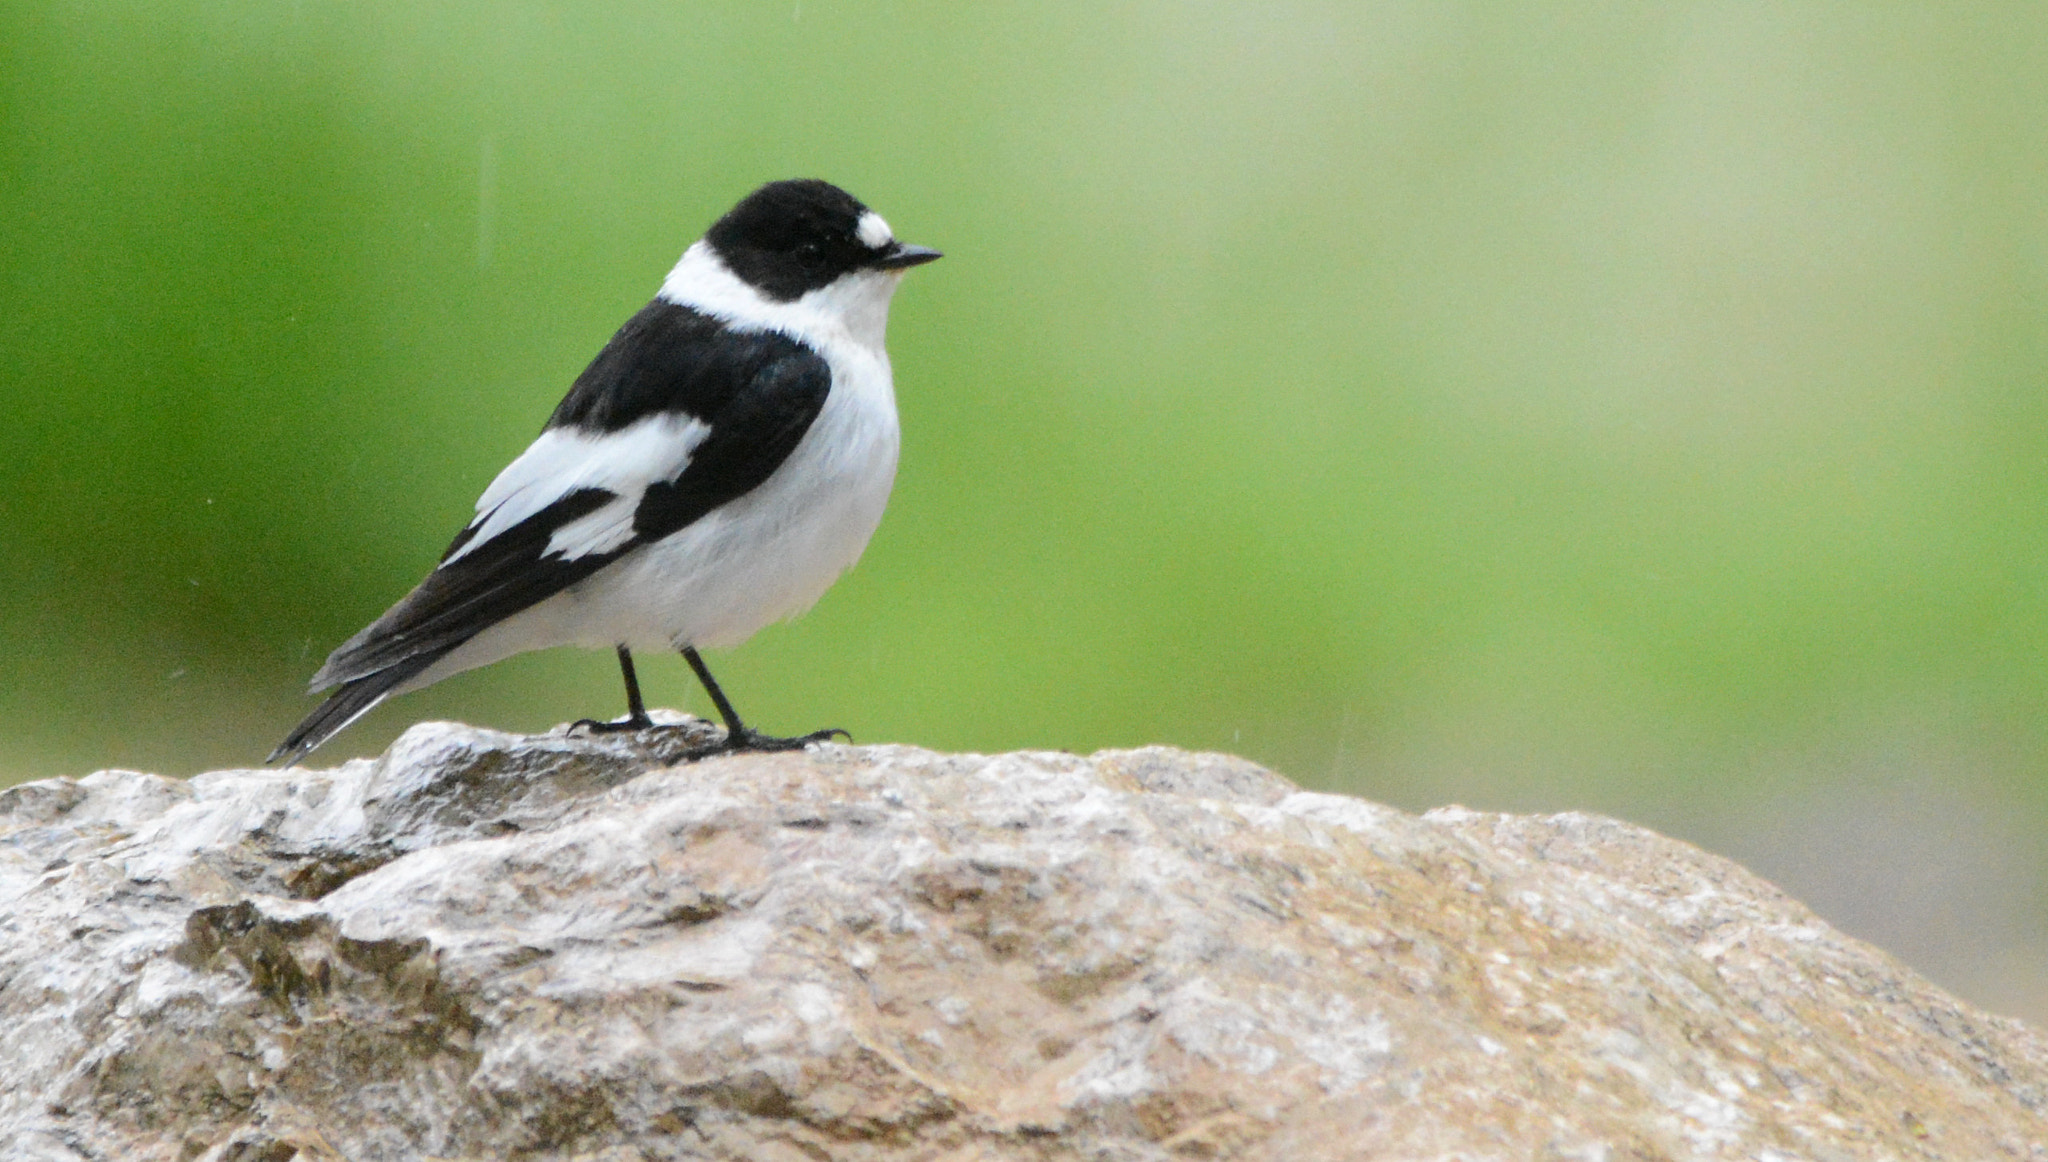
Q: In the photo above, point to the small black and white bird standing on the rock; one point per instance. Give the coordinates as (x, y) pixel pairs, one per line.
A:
(714, 470)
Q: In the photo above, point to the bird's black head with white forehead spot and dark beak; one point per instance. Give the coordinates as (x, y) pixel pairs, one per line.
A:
(790, 239)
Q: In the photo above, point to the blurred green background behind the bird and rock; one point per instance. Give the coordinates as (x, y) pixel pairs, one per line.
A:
(1625, 409)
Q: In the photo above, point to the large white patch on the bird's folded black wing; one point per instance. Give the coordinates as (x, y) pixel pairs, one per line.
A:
(566, 460)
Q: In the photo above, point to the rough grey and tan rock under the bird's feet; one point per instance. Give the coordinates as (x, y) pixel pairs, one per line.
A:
(482, 946)
